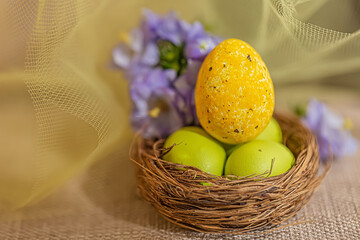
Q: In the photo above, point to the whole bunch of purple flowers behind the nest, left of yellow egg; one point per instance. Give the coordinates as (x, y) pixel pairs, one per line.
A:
(161, 60)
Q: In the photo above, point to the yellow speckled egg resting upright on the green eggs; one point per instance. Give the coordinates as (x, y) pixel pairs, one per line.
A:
(234, 94)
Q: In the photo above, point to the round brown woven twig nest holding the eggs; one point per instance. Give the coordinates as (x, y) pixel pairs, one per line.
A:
(229, 204)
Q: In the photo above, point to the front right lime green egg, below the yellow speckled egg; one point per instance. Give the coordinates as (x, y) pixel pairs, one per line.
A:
(256, 157)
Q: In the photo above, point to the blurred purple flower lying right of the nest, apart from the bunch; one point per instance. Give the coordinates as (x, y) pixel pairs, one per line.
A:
(329, 130)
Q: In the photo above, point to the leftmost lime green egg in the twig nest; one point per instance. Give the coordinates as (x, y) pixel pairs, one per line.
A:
(194, 147)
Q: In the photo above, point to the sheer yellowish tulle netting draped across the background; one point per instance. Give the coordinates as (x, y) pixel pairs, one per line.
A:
(63, 106)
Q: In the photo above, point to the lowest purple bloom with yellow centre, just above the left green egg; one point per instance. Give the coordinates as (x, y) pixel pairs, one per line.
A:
(155, 105)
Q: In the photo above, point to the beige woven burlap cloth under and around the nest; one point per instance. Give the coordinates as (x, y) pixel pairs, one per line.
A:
(103, 202)
